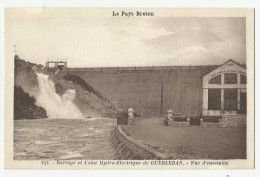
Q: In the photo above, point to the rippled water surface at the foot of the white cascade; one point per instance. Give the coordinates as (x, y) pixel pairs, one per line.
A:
(63, 139)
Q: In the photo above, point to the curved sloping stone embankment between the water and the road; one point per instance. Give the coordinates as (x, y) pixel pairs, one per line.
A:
(128, 148)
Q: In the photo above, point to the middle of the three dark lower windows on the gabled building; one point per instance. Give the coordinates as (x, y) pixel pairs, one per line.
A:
(230, 99)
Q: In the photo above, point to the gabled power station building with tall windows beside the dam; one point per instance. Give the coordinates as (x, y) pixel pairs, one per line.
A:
(224, 90)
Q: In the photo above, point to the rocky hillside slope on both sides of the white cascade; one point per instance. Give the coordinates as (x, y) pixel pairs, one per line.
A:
(89, 101)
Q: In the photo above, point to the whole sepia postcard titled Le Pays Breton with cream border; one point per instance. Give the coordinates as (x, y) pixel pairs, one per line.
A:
(129, 88)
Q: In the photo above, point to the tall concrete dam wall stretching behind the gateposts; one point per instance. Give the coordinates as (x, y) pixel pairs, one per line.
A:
(141, 87)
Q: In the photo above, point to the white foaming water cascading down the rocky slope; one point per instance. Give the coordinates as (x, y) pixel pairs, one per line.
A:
(55, 105)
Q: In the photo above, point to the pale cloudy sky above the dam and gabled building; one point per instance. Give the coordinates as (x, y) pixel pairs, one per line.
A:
(111, 41)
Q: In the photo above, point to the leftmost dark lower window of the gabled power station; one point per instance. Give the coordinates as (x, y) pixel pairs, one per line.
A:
(214, 99)
